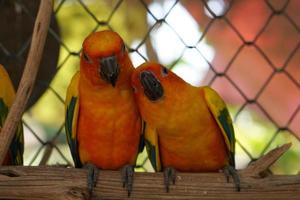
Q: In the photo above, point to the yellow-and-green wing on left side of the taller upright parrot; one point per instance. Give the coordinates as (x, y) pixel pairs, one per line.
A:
(72, 111)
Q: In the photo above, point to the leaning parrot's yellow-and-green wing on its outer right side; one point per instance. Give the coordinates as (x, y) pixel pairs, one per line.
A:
(220, 112)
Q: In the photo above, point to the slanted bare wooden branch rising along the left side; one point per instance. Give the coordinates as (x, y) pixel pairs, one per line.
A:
(28, 78)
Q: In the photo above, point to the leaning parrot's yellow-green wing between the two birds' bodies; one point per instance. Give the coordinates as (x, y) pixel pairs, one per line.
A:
(151, 142)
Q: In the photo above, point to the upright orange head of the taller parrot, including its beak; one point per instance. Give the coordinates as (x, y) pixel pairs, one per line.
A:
(102, 54)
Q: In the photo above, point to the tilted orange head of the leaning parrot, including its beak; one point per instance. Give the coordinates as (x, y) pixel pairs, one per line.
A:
(149, 80)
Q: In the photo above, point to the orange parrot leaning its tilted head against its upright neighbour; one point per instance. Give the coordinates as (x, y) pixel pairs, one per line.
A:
(188, 128)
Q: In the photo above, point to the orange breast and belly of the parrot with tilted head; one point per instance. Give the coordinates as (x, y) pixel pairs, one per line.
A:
(190, 139)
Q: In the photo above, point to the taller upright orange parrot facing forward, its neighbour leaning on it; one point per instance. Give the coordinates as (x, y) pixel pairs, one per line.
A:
(103, 125)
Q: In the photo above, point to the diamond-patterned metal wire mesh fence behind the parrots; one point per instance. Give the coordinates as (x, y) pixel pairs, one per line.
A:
(53, 145)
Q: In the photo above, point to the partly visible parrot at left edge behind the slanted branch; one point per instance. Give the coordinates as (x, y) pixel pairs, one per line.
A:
(14, 155)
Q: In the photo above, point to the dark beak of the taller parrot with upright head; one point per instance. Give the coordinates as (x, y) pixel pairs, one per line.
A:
(109, 69)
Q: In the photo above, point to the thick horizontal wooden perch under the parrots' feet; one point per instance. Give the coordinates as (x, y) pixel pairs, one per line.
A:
(69, 183)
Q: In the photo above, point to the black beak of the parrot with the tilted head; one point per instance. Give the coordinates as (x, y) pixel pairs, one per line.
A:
(152, 87)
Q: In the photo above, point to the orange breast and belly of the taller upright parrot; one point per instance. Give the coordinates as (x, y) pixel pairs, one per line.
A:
(109, 127)
